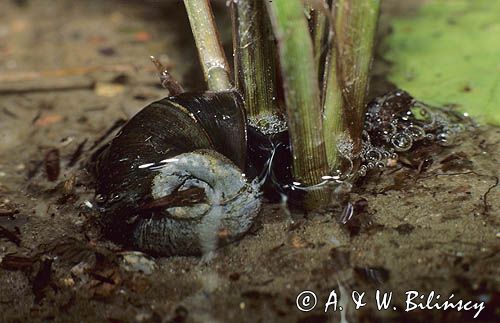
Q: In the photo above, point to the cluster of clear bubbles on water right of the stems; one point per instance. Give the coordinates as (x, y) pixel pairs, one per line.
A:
(395, 126)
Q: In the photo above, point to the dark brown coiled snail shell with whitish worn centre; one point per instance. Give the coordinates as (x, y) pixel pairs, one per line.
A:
(171, 181)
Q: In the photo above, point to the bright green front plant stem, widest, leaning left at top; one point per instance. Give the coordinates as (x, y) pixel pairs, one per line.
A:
(302, 93)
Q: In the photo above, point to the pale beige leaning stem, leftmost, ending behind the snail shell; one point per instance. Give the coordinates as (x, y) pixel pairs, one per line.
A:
(212, 57)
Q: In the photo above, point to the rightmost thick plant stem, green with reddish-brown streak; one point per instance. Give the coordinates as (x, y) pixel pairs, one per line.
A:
(348, 70)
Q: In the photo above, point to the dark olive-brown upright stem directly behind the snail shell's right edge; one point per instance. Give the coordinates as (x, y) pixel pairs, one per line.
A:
(254, 58)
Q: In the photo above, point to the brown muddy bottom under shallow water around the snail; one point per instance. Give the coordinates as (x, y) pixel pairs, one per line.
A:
(418, 226)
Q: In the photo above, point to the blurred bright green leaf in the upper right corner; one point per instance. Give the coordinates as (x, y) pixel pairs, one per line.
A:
(449, 53)
